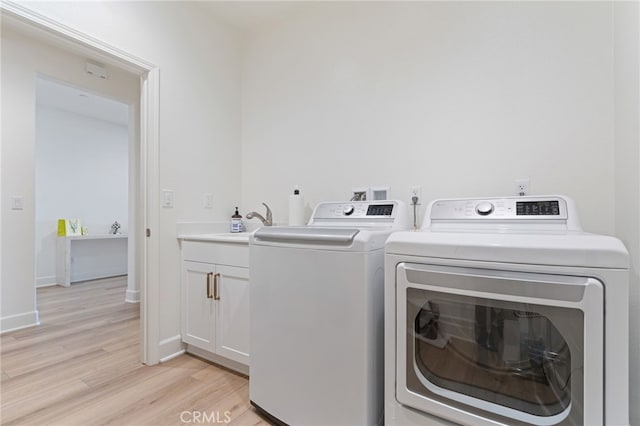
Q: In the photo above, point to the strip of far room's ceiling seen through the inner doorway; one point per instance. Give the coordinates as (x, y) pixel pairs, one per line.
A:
(68, 98)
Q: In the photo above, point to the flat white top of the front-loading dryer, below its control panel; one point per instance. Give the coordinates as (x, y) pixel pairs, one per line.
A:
(558, 249)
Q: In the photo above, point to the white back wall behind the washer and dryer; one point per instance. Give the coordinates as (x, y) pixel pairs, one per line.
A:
(460, 98)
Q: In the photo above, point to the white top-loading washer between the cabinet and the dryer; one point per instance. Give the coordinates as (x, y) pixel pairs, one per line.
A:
(317, 303)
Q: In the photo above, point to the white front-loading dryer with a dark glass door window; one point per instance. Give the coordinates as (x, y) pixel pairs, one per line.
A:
(503, 312)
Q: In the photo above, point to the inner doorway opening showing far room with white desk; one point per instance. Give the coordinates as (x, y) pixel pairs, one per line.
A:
(83, 141)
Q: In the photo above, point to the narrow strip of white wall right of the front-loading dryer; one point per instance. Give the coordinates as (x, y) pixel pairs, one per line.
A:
(627, 166)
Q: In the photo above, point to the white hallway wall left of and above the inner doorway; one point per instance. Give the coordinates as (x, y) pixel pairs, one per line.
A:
(22, 59)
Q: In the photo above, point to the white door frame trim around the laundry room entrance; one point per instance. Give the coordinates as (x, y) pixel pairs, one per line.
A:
(146, 212)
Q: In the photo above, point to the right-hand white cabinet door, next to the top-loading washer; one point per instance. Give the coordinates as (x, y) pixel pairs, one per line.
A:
(232, 322)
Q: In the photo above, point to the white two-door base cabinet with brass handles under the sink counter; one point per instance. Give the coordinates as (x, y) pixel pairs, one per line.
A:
(215, 300)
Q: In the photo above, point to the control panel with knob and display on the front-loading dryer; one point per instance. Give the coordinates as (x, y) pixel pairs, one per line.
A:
(514, 208)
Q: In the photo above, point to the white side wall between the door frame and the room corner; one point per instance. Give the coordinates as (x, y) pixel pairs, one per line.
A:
(199, 64)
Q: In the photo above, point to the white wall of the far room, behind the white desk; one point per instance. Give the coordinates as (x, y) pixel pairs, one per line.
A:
(81, 172)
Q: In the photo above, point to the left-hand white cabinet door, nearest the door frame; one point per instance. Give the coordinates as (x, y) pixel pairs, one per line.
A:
(198, 306)
